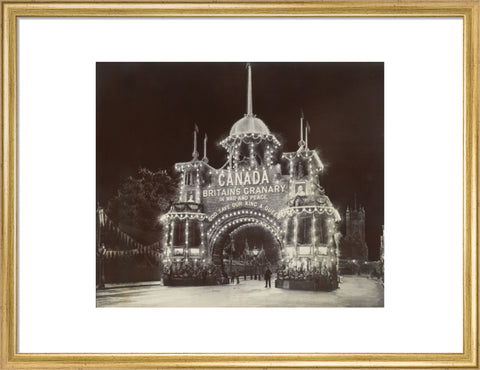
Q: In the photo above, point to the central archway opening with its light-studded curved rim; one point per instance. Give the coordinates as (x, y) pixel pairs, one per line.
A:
(245, 241)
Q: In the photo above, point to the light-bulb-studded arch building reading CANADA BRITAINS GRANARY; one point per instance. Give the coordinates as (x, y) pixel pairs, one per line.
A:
(250, 189)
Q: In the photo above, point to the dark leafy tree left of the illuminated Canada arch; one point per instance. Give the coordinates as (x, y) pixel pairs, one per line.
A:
(140, 201)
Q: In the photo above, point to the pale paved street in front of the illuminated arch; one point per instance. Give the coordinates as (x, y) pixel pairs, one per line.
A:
(354, 291)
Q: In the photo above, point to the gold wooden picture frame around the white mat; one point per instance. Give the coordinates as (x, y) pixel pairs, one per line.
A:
(467, 10)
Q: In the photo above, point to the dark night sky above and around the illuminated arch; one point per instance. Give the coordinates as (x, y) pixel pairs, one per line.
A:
(146, 113)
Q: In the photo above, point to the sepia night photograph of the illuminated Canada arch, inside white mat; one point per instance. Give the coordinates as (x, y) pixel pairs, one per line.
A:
(239, 184)
